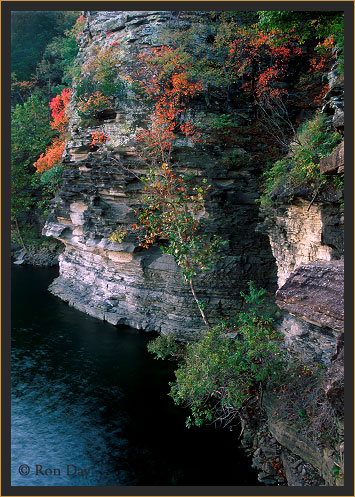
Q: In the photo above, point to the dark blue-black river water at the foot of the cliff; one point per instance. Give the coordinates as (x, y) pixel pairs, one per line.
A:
(89, 395)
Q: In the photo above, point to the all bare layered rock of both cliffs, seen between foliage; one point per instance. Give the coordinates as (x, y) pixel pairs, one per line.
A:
(301, 240)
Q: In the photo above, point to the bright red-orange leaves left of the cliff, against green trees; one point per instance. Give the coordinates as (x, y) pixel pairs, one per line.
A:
(53, 154)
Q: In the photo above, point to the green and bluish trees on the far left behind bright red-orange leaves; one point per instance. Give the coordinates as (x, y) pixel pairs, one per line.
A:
(40, 41)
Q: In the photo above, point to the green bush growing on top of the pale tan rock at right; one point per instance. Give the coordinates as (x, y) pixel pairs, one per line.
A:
(314, 141)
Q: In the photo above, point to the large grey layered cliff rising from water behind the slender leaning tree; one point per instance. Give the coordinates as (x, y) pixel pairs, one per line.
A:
(120, 282)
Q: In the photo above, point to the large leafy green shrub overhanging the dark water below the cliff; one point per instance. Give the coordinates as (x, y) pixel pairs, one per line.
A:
(223, 369)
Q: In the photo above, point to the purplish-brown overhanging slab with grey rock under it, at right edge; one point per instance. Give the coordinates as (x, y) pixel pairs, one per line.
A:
(314, 297)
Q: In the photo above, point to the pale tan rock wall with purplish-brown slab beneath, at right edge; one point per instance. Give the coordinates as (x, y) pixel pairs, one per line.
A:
(307, 241)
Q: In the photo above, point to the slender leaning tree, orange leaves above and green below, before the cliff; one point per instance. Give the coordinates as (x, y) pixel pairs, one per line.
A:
(171, 205)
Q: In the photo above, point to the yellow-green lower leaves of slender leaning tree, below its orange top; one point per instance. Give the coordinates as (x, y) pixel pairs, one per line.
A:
(172, 207)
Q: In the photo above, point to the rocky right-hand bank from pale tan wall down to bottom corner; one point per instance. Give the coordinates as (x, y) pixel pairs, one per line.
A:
(307, 240)
